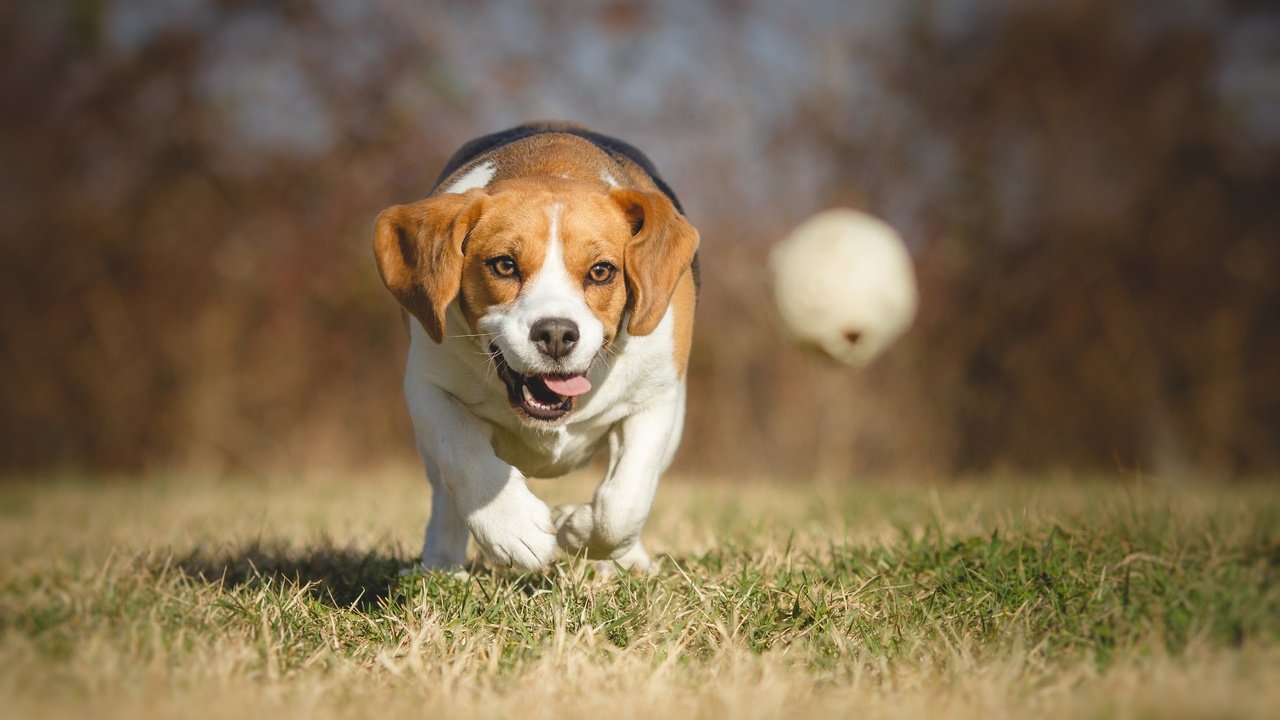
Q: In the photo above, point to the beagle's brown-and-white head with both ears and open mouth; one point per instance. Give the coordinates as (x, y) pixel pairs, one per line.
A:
(543, 270)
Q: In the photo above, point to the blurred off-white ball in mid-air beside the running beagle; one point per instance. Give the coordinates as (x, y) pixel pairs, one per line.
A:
(844, 285)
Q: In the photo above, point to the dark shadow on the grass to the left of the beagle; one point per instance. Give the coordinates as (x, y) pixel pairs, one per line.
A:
(341, 577)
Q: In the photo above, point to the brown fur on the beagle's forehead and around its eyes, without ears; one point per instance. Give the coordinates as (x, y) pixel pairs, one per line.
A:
(508, 248)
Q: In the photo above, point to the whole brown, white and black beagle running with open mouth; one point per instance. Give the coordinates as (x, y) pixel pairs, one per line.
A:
(550, 282)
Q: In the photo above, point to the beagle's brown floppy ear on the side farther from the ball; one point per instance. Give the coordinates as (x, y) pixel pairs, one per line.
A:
(419, 250)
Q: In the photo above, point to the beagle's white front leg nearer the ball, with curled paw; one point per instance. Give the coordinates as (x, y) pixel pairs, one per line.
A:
(641, 449)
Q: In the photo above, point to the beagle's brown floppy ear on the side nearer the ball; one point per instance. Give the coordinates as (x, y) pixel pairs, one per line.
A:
(661, 250)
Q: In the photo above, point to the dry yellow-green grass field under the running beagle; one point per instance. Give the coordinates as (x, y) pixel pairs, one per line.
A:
(1058, 598)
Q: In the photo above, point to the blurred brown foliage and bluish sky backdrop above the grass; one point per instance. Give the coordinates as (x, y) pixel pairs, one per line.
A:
(1091, 192)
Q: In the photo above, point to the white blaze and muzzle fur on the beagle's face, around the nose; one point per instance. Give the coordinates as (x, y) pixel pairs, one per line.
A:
(550, 294)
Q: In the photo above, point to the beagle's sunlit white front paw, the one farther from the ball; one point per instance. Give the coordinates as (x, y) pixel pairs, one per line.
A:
(515, 530)
